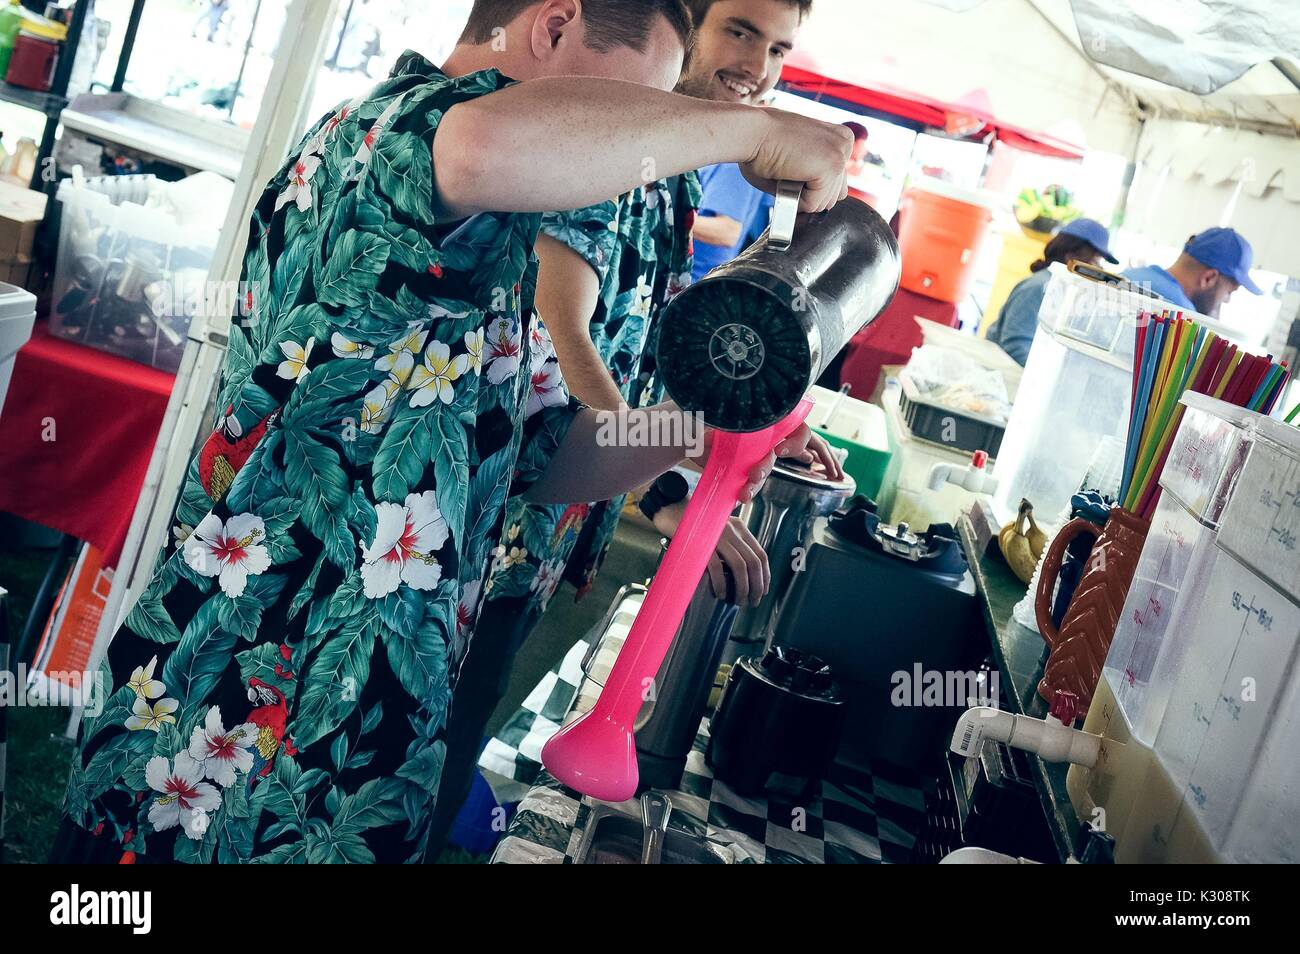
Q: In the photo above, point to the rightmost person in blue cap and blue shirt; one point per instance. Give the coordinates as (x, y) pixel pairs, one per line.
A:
(1214, 266)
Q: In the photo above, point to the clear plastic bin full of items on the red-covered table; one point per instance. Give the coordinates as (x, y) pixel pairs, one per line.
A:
(129, 276)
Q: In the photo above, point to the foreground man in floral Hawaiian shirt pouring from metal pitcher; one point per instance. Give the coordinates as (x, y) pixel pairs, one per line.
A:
(280, 692)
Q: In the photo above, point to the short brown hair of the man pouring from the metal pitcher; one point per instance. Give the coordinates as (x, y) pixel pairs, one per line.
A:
(610, 24)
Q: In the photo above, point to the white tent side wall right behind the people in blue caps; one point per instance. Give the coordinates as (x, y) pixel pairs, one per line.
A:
(1220, 176)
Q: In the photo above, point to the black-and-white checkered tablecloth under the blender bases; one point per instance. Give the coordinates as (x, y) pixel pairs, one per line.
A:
(859, 817)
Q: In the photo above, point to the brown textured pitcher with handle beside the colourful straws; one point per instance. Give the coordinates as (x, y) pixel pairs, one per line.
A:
(1080, 647)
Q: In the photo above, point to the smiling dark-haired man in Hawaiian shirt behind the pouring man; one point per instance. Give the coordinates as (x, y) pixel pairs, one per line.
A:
(606, 272)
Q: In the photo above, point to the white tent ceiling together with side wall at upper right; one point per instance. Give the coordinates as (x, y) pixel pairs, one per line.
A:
(1232, 150)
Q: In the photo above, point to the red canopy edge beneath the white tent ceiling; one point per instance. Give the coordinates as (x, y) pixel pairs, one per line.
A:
(801, 76)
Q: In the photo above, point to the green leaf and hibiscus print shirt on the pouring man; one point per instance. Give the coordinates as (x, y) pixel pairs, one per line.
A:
(280, 691)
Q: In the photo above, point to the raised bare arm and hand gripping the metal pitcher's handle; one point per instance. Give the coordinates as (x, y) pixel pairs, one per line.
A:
(570, 142)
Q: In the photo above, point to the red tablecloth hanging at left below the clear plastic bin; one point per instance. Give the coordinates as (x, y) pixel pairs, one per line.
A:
(106, 414)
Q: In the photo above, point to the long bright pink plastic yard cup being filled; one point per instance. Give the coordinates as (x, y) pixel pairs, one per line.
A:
(596, 754)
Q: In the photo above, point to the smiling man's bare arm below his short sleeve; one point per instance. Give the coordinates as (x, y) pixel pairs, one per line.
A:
(567, 294)
